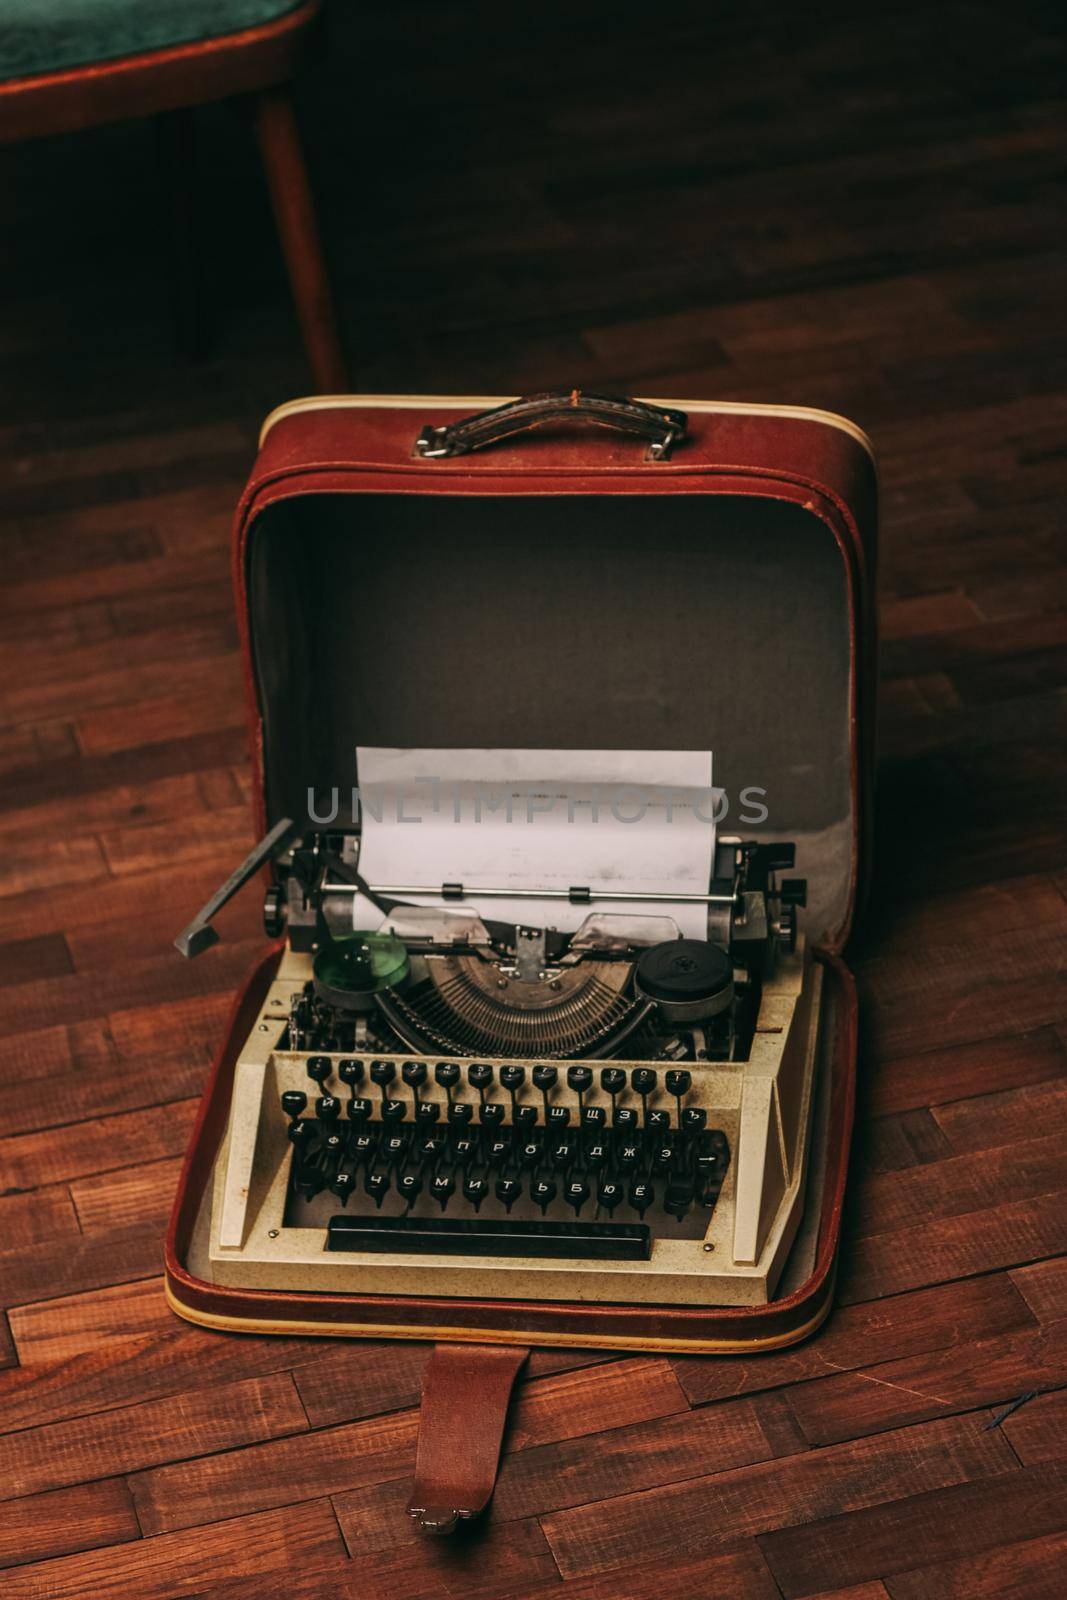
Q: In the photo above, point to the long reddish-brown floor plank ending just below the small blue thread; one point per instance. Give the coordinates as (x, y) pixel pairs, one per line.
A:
(778, 1494)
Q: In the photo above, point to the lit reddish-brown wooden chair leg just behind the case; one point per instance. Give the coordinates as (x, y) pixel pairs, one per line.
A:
(298, 231)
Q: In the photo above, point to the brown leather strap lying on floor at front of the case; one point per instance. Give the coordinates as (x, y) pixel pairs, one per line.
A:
(462, 1426)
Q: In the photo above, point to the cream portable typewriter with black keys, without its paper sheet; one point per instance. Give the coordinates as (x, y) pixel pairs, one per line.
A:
(463, 1106)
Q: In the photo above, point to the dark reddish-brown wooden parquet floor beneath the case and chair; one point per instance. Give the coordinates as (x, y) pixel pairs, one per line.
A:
(823, 206)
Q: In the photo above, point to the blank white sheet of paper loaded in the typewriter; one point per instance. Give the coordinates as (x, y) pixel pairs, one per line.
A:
(540, 820)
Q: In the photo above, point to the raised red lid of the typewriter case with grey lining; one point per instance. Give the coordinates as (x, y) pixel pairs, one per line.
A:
(565, 590)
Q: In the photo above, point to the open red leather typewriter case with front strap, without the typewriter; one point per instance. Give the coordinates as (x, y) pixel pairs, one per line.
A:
(524, 567)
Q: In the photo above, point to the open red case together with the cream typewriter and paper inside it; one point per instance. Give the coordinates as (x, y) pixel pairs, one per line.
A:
(524, 1066)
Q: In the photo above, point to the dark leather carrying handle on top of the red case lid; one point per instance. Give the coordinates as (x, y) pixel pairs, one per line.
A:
(658, 425)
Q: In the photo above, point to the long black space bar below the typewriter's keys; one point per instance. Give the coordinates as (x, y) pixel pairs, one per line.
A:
(462, 1236)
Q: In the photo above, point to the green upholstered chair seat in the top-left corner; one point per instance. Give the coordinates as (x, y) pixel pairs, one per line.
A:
(46, 36)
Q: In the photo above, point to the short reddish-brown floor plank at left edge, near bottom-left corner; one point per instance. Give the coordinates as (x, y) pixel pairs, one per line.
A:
(63, 1522)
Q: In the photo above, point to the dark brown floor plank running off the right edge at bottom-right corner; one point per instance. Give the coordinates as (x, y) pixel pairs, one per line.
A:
(957, 1522)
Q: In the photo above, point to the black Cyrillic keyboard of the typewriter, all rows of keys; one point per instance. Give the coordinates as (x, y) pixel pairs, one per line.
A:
(452, 1158)
